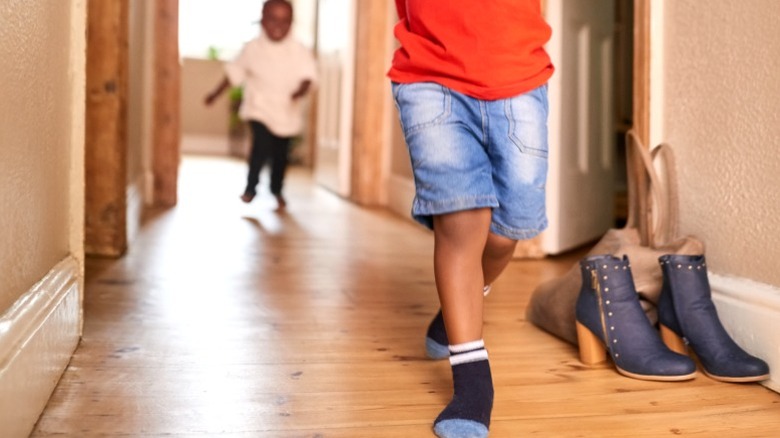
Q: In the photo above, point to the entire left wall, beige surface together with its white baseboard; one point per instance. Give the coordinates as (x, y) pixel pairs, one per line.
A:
(42, 136)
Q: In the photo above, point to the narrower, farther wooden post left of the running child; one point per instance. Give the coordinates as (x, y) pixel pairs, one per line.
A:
(166, 130)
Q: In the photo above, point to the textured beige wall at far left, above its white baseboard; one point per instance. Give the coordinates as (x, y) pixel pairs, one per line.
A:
(37, 132)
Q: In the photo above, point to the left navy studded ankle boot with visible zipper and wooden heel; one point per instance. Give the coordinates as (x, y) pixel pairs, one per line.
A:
(610, 318)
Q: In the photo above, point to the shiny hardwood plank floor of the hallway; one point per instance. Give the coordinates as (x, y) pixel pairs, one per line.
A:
(233, 320)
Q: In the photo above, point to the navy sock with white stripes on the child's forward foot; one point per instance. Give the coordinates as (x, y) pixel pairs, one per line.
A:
(468, 414)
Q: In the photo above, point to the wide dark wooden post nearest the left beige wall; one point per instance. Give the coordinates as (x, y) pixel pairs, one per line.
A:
(106, 128)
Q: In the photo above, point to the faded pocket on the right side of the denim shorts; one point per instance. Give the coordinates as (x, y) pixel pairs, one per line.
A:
(527, 117)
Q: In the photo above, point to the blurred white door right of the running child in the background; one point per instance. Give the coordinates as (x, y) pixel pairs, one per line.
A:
(335, 54)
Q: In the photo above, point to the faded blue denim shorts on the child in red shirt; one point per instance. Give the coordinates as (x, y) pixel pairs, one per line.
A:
(469, 153)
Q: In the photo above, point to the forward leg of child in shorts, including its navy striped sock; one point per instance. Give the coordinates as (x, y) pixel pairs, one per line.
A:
(459, 242)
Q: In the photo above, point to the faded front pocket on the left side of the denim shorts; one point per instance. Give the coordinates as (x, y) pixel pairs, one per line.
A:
(422, 104)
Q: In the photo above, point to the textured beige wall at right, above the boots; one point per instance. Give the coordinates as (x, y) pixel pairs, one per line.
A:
(722, 117)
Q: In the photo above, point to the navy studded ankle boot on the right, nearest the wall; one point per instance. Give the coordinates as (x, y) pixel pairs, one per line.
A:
(687, 315)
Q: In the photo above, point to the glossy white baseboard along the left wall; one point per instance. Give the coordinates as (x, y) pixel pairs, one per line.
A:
(38, 335)
